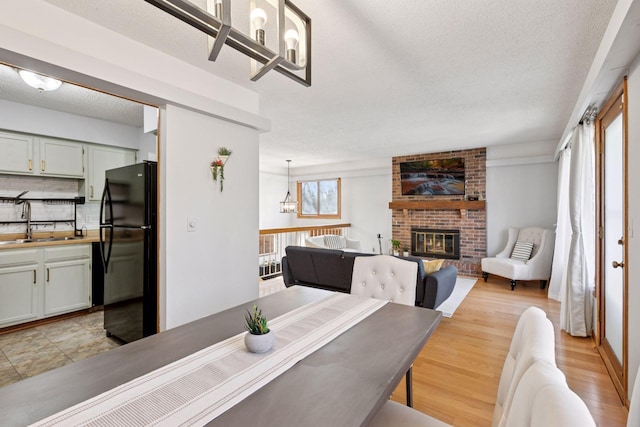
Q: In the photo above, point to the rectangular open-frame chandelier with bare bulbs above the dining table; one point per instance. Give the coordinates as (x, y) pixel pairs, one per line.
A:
(287, 50)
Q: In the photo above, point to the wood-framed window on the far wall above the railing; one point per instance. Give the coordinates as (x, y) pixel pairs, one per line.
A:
(319, 199)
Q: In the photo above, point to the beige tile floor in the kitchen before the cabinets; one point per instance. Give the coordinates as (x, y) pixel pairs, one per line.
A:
(36, 350)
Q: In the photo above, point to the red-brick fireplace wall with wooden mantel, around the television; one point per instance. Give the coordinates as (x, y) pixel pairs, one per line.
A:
(446, 214)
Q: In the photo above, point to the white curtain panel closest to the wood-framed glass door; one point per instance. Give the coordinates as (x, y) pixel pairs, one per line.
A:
(576, 312)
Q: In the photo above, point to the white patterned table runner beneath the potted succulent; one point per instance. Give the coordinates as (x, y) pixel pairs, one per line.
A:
(196, 389)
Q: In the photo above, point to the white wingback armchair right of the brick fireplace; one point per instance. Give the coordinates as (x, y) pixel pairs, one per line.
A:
(537, 267)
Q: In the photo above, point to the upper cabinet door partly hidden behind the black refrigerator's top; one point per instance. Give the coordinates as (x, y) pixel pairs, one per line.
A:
(102, 159)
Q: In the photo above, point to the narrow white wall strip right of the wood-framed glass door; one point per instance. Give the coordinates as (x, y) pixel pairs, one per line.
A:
(631, 263)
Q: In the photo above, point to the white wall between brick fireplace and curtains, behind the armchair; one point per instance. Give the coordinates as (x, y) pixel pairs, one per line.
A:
(521, 189)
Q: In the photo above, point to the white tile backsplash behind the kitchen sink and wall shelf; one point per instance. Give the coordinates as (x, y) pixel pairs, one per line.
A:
(41, 187)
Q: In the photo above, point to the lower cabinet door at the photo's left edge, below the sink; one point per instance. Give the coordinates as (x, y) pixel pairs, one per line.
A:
(18, 294)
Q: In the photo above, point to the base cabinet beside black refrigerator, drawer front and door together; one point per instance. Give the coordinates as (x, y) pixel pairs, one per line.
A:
(67, 279)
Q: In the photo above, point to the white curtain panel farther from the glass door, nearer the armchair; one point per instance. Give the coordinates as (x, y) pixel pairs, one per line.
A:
(557, 284)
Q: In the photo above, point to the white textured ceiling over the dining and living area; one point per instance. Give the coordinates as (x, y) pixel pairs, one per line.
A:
(401, 77)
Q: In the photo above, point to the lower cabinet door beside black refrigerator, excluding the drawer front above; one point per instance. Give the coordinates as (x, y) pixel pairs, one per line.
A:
(66, 286)
